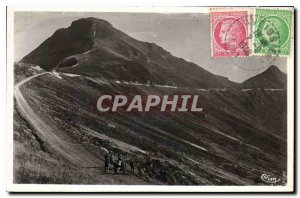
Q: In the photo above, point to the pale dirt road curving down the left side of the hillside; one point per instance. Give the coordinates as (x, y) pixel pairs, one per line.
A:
(57, 142)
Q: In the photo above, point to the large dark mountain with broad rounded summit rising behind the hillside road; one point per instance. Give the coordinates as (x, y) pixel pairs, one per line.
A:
(93, 47)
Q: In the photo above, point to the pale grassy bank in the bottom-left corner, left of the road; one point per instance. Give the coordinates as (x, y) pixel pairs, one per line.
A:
(34, 164)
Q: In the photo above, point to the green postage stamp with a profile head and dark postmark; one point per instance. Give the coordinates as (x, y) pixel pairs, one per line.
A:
(273, 32)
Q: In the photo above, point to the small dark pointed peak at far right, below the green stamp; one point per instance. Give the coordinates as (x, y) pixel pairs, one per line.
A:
(271, 78)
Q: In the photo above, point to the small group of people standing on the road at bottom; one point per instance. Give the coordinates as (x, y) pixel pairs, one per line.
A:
(117, 162)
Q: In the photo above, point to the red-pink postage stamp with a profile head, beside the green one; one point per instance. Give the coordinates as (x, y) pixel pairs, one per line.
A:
(229, 34)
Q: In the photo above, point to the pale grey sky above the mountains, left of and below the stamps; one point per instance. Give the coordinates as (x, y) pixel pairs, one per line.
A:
(185, 35)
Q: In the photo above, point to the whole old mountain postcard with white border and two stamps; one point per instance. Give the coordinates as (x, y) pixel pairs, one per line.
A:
(136, 99)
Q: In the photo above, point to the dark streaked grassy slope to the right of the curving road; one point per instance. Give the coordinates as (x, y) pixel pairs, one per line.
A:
(69, 104)
